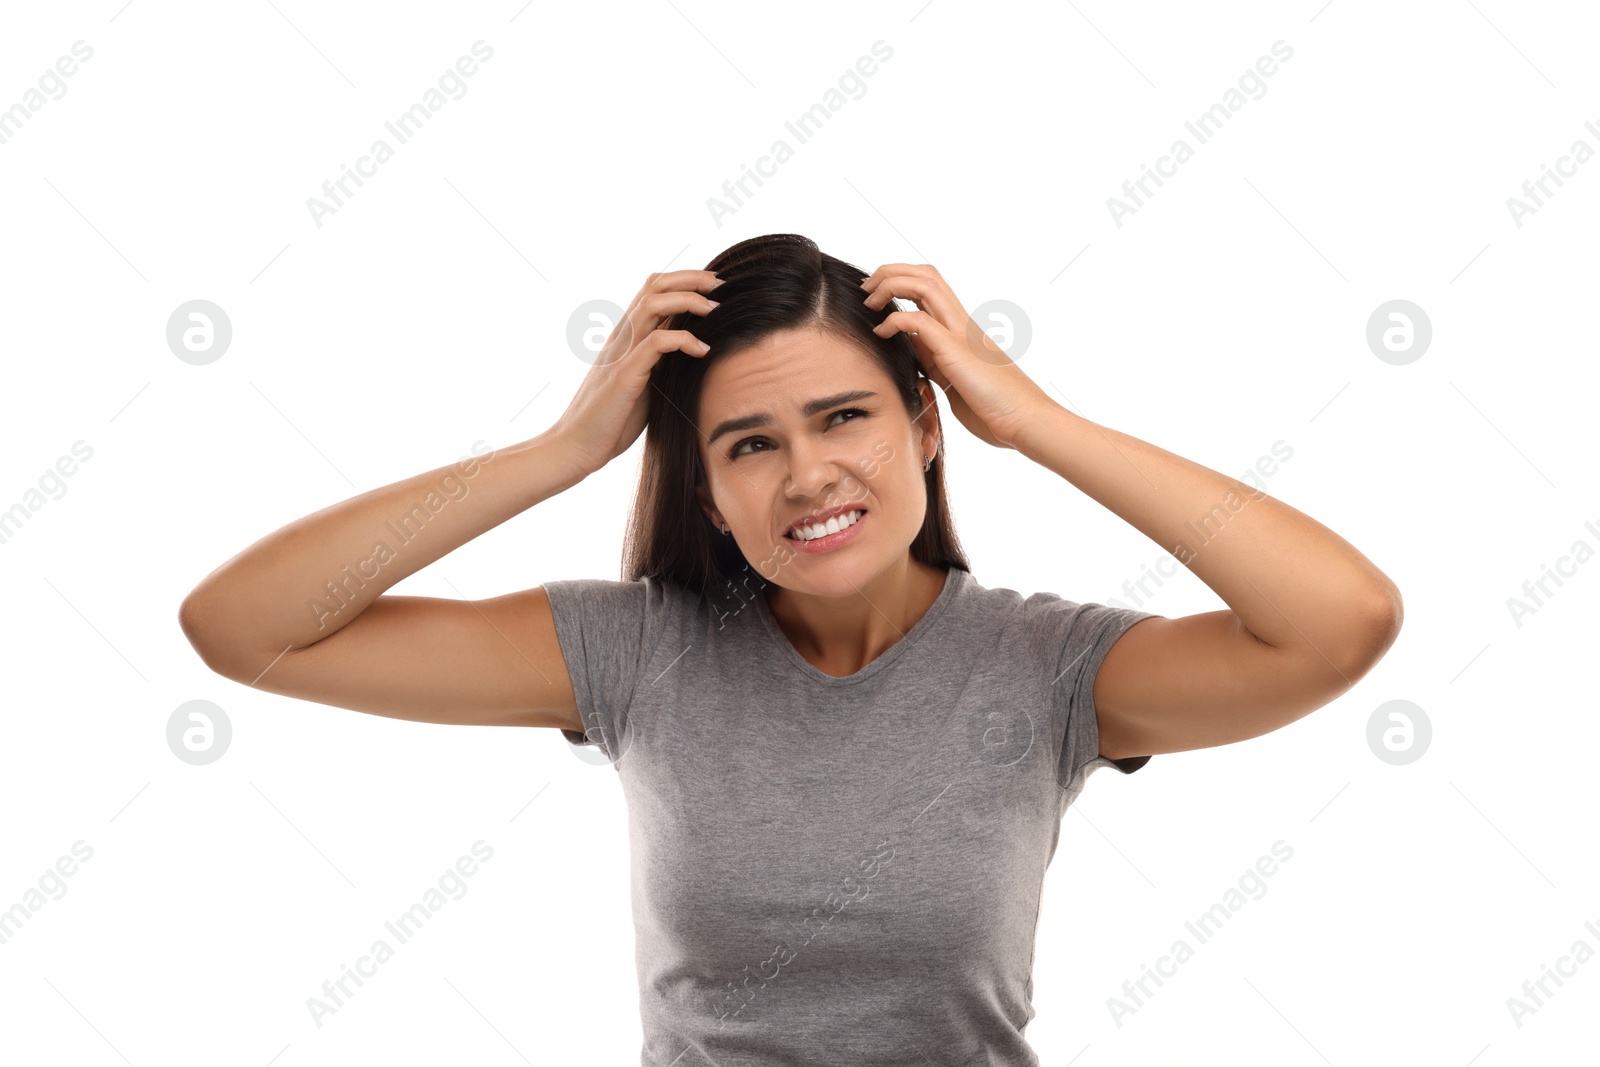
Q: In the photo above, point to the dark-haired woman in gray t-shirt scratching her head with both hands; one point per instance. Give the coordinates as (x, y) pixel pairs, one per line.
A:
(846, 761)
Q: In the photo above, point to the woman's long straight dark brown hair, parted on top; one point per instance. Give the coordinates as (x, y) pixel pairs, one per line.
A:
(770, 284)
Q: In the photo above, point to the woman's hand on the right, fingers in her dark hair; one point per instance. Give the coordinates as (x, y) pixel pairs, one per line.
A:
(988, 391)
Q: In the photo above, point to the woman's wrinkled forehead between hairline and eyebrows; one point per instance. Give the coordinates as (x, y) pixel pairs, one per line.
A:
(785, 372)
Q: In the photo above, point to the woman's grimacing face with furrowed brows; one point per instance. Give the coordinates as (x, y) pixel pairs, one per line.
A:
(775, 455)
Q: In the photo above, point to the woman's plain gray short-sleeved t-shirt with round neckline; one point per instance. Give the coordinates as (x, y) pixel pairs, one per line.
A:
(838, 871)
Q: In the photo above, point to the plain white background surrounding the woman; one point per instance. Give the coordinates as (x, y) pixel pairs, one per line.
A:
(430, 313)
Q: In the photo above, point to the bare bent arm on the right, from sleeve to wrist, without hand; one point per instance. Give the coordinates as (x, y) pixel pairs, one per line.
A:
(1308, 613)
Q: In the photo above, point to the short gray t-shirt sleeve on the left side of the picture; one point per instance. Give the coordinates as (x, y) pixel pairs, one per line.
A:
(607, 631)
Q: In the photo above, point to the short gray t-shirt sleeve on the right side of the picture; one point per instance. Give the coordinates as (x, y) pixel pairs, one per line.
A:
(1076, 639)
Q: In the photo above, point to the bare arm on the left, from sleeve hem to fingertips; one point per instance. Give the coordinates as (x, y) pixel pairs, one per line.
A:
(305, 610)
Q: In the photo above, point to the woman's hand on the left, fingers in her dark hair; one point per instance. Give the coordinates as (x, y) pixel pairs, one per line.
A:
(610, 409)
